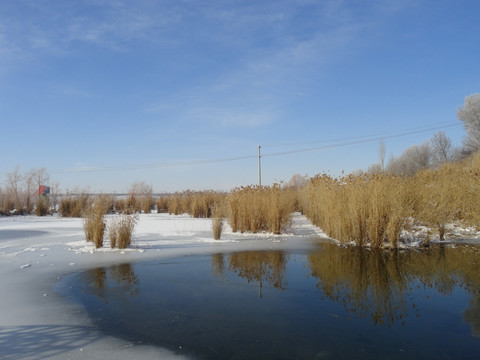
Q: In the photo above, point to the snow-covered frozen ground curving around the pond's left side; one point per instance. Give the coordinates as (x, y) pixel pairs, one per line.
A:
(35, 253)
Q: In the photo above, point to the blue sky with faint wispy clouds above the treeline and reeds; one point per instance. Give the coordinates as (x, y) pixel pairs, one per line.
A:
(180, 94)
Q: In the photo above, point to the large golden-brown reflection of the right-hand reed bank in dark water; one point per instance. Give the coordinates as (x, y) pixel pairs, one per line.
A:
(375, 283)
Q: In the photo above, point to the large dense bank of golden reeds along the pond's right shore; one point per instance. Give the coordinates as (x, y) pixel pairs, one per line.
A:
(373, 209)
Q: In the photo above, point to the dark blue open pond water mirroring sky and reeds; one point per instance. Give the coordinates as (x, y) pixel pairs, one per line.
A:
(331, 303)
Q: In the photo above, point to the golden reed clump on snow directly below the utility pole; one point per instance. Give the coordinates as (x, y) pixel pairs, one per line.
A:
(257, 209)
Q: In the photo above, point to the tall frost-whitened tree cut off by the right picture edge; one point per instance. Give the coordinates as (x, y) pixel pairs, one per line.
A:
(469, 114)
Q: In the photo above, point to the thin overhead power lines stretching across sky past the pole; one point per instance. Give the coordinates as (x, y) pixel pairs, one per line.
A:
(340, 143)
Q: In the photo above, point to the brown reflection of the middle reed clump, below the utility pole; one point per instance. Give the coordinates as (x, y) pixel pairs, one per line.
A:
(268, 267)
